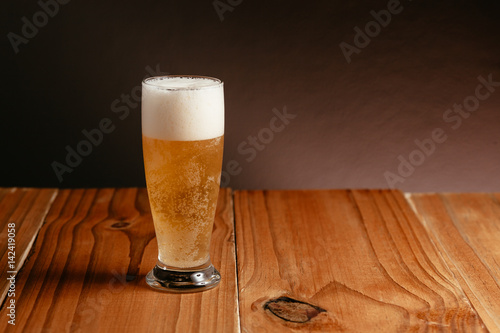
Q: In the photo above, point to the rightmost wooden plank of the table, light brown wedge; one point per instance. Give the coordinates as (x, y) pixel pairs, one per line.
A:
(466, 229)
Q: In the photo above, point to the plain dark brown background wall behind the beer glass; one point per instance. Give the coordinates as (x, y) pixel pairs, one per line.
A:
(352, 120)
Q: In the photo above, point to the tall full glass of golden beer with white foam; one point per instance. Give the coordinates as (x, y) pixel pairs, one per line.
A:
(183, 138)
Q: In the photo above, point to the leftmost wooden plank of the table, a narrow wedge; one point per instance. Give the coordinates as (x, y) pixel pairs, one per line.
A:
(26, 209)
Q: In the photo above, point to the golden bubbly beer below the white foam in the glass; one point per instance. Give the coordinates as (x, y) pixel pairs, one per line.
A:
(183, 180)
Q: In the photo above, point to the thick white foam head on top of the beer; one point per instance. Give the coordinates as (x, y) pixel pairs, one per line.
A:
(182, 108)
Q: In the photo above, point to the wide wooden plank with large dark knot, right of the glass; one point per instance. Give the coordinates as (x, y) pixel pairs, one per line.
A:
(353, 261)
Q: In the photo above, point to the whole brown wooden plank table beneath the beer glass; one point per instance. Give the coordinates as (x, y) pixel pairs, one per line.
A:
(291, 261)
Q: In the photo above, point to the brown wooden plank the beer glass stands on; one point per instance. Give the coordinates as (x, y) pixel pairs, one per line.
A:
(86, 273)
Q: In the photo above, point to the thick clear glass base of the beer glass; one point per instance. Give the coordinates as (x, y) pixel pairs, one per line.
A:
(185, 281)
